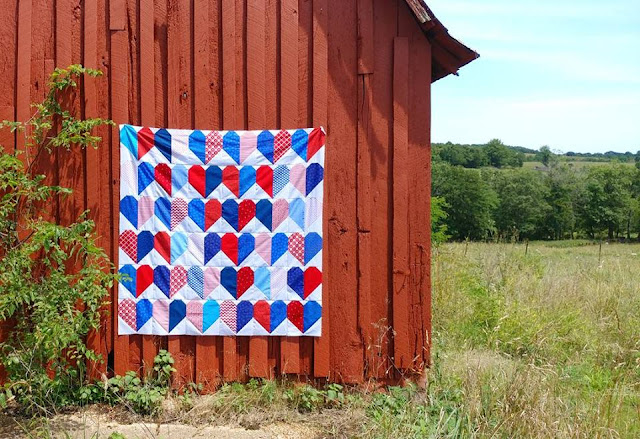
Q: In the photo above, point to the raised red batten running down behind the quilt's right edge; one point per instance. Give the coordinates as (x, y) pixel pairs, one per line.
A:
(321, 349)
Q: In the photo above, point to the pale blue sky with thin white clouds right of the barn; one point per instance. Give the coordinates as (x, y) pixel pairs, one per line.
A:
(563, 73)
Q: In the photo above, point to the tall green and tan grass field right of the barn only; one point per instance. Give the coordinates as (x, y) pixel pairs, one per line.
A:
(545, 344)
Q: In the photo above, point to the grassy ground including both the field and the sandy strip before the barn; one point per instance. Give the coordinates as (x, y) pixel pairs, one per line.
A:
(537, 342)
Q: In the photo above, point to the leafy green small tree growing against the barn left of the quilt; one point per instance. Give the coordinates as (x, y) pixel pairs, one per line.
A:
(53, 278)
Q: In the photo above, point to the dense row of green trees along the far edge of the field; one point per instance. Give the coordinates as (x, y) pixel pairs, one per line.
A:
(559, 202)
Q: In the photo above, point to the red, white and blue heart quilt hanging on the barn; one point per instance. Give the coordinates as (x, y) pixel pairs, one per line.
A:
(220, 232)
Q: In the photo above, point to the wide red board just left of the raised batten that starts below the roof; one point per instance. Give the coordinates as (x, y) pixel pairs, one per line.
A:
(380, 144)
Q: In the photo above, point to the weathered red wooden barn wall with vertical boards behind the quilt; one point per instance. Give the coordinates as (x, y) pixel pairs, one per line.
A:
(360, 68)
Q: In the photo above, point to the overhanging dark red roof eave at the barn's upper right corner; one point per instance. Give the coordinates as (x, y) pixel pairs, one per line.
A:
(448, 54)
